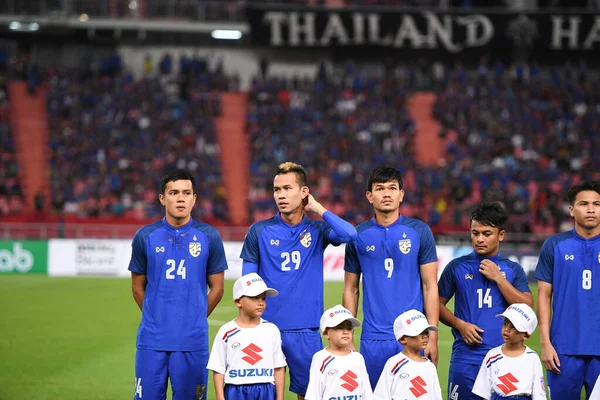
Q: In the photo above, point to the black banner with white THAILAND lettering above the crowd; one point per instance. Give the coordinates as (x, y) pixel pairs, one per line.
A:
(450, 32)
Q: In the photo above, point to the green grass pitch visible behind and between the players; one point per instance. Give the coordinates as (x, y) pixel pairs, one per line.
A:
(74, 338)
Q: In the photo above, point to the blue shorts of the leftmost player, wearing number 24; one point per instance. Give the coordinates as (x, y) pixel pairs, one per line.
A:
(186, 370)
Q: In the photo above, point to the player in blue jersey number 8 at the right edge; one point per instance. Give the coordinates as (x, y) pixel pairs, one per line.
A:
(569, 299)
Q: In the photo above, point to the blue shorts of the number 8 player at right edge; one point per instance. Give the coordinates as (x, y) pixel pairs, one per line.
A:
(576, 372)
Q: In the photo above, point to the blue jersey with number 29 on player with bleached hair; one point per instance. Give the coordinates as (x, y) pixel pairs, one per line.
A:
(290, 259)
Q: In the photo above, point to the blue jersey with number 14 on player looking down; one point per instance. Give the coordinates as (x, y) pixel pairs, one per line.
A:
(478, 300)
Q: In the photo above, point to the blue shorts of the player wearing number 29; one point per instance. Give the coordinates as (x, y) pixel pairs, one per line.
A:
(299, 347)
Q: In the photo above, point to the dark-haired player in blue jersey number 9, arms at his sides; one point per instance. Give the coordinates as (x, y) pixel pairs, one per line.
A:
(397, 259)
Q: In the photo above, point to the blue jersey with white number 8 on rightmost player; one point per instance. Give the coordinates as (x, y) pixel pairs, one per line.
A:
(571, 264)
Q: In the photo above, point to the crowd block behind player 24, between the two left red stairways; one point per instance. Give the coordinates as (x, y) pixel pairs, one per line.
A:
(113, 135)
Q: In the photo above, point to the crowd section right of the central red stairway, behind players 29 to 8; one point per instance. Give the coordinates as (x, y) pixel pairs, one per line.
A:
(517, 134)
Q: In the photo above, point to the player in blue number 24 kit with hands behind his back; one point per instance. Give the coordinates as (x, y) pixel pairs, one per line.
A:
(172, 263)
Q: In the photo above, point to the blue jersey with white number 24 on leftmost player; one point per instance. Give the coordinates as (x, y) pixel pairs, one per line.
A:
(176, 262)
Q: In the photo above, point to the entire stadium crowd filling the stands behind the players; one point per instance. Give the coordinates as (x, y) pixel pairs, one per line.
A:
(519, 134)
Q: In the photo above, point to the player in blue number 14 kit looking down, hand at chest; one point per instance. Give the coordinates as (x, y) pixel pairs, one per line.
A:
(485, 283)
